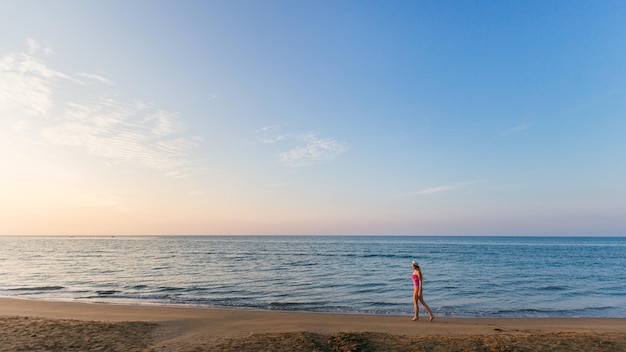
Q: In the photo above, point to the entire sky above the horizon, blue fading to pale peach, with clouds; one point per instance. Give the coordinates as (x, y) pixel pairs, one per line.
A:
(312, 117)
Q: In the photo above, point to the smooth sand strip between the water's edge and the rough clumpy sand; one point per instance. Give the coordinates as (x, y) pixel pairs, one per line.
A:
(185, 328)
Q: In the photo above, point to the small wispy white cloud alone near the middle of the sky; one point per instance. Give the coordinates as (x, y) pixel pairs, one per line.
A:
(304, 148)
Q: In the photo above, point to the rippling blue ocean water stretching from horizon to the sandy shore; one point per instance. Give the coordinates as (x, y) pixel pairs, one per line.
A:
(463, 276)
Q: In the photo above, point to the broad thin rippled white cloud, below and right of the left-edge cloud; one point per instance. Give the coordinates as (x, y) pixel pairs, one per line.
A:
(129, 133)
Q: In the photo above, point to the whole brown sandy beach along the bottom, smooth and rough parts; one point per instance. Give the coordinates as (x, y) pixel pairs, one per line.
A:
(33, 325)
